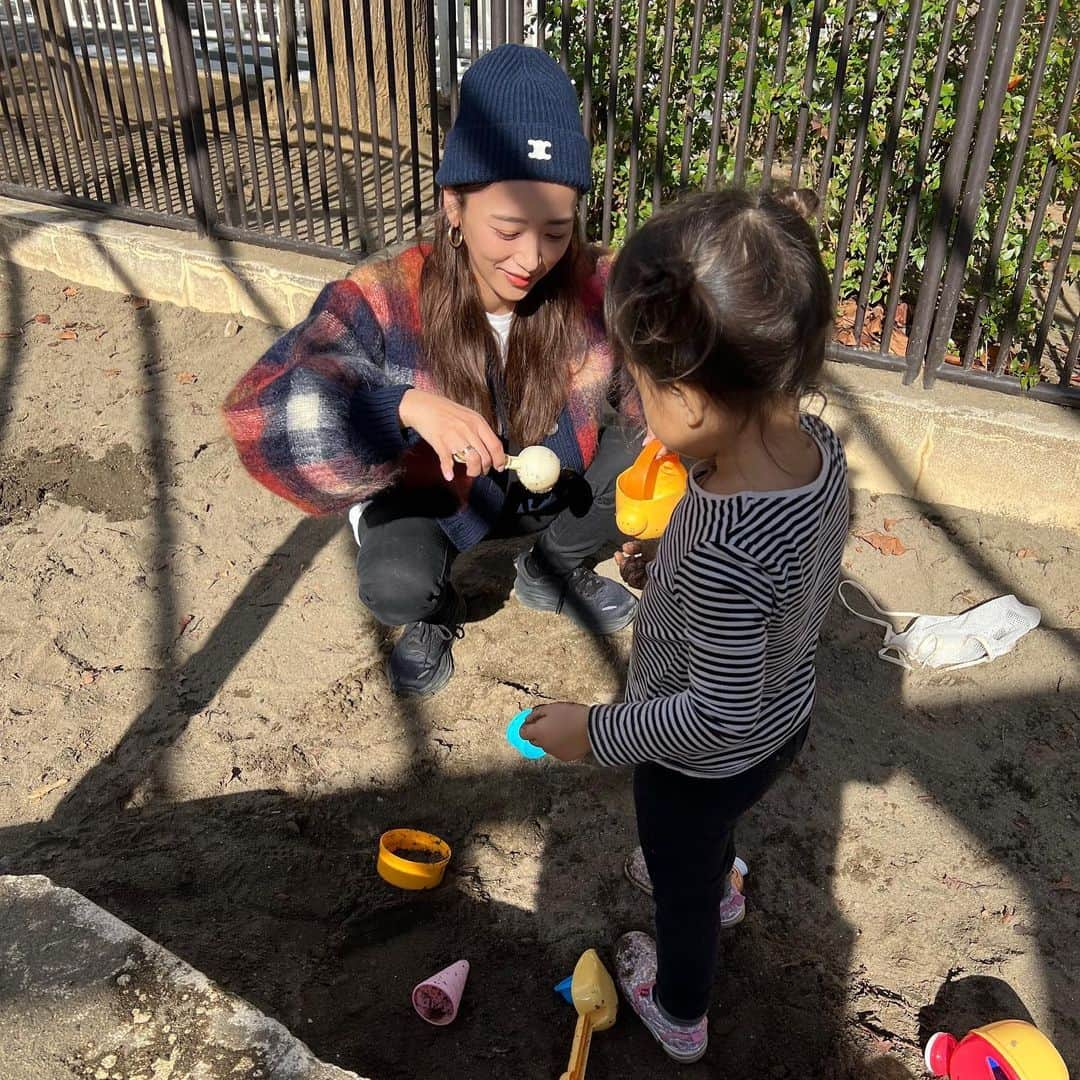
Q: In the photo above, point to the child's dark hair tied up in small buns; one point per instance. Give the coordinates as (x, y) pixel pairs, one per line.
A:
(726, 291)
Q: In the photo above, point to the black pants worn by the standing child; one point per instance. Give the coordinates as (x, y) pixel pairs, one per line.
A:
(687, 831)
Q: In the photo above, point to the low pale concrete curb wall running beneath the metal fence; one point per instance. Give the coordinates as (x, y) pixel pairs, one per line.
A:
(955, 445)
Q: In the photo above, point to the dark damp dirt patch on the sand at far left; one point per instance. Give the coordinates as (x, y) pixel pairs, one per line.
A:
(115, 485)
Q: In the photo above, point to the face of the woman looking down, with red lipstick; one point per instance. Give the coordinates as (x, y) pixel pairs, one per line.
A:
(515, 233)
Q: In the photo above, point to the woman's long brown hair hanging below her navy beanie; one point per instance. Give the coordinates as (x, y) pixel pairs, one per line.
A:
(547, 337)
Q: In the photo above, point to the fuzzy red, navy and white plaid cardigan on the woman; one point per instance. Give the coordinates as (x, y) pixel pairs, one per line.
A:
(317, 418)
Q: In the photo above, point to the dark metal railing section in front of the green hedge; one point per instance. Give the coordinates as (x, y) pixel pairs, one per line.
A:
(943, 140)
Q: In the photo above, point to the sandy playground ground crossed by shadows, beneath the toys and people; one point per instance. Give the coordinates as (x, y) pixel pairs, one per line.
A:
(196, 733)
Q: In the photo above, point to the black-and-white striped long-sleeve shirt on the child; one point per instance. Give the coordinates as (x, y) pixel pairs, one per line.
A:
(723, 665)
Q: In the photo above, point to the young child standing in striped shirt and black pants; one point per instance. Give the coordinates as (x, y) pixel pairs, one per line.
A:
(721, 308)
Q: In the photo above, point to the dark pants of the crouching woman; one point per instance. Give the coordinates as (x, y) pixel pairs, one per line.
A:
(406, 558)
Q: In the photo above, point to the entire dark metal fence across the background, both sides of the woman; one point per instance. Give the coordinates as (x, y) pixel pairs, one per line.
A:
(317, 125)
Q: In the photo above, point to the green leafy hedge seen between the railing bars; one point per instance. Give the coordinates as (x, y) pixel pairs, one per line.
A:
(691, 109)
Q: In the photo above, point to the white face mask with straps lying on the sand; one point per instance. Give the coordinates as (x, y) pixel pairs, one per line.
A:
(951, 641)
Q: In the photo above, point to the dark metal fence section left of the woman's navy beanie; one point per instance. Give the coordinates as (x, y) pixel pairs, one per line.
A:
(304, 126)
